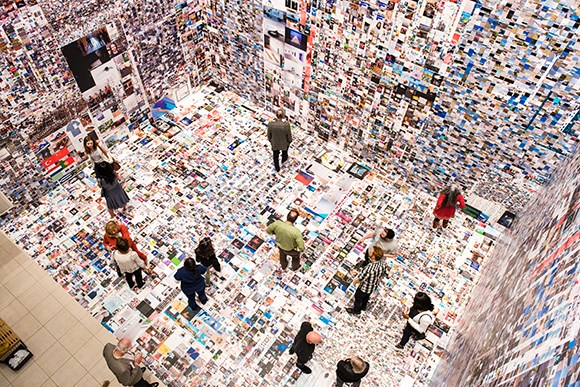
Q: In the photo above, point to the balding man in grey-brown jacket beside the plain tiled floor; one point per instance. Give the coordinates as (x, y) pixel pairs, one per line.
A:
(124, 365)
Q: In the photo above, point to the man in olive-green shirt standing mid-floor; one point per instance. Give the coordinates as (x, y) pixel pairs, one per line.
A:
(288, 239)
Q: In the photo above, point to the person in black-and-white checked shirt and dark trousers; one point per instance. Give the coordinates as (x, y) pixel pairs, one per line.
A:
(369, 280)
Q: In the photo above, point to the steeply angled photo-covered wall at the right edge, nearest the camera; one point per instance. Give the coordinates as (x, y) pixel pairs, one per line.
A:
(522, 325)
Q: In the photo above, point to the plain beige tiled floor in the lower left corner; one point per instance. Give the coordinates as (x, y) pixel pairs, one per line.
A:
(66, 341)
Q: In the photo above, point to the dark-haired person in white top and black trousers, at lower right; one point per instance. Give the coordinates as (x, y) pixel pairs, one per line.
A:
(419, 317)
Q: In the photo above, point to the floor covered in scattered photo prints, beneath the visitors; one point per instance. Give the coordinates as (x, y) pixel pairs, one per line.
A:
(212, 174)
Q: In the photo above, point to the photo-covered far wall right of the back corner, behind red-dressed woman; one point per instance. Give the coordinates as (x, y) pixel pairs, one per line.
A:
(482, 93)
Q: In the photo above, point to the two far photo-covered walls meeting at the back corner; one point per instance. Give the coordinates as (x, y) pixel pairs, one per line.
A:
(486, 94)
